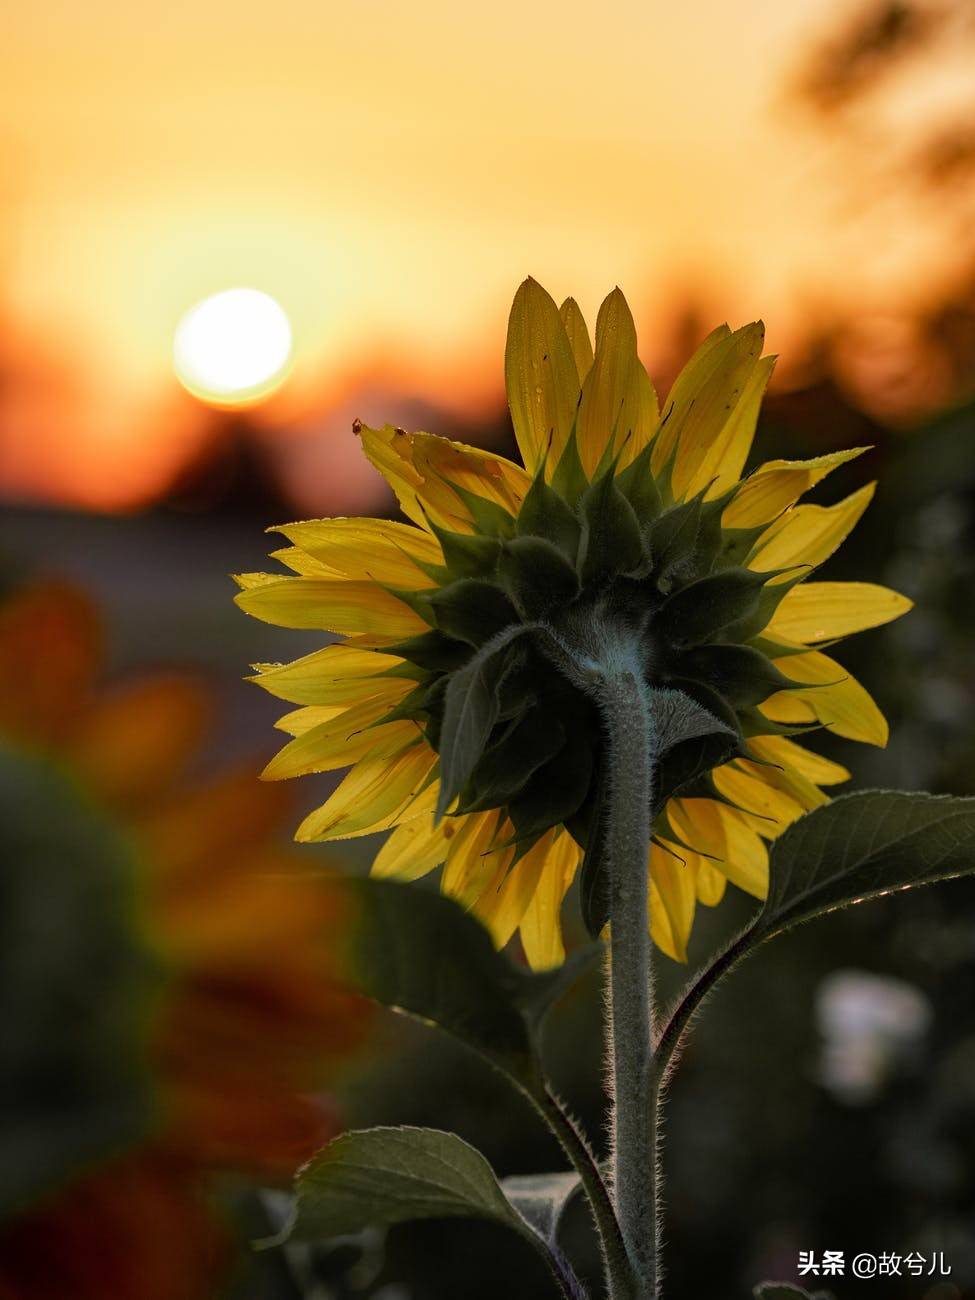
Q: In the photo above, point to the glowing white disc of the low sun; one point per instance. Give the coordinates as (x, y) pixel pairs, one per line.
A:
(233, 349)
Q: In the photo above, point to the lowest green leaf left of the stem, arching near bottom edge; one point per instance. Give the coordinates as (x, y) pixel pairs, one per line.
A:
(379, 1177)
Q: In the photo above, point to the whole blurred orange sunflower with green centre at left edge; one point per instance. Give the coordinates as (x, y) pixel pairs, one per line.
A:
(172, 995)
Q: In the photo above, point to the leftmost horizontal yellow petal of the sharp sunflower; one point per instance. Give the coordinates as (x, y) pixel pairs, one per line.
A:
(328, 605)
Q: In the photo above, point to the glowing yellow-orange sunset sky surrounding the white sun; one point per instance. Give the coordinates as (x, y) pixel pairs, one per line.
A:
(389, 172)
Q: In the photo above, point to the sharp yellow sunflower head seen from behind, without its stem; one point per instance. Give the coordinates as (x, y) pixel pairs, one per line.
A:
(450, 692)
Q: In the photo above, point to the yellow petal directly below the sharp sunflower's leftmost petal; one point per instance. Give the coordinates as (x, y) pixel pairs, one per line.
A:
(337, 675)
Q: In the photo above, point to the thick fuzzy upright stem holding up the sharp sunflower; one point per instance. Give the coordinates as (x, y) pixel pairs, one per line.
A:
(631, 1016)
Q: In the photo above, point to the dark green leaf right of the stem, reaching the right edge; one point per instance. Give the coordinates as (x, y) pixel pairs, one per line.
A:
(863, 847)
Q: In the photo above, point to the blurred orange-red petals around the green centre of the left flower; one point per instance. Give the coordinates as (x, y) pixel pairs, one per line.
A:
(248, 1006)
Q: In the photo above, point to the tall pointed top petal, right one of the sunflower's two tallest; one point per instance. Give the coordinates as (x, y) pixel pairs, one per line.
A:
(618, 406)
